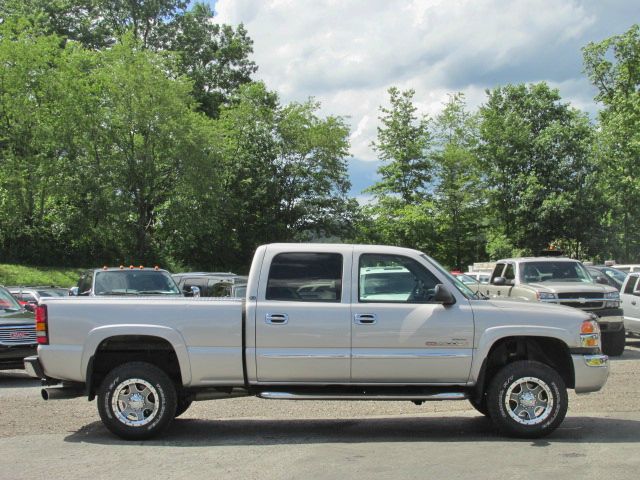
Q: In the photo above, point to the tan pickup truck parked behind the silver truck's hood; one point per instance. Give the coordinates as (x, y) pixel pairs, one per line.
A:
(561, 281)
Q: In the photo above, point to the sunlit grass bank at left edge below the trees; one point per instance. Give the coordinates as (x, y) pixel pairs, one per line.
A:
(32, 276)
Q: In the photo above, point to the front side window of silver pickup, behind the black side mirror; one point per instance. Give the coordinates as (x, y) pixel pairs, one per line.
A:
(394, 278)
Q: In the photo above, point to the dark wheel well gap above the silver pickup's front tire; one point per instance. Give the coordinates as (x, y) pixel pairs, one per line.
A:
(547, 350)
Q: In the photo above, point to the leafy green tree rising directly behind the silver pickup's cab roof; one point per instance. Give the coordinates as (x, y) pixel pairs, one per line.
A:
(282, 176)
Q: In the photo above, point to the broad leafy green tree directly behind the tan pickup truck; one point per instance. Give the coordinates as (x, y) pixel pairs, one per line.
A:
(536, 154)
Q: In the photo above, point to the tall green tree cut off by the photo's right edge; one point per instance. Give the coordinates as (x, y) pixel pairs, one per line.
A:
(613, 66)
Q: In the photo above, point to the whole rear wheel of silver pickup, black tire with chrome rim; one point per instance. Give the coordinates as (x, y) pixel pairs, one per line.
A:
(151, 409)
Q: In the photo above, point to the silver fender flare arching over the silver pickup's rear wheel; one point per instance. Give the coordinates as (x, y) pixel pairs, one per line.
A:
(100, 334)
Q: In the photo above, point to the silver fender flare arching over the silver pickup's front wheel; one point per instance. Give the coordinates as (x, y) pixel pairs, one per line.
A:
(495, 334)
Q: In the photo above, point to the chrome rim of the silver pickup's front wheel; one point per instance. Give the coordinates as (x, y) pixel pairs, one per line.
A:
(529, 401)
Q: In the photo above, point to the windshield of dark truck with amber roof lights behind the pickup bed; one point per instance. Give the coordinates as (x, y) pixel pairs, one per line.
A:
(134, 282)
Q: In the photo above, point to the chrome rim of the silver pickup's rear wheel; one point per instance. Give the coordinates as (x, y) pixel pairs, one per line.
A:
(135, 402)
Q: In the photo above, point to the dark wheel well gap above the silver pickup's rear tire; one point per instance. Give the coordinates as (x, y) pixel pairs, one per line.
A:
(118, 350)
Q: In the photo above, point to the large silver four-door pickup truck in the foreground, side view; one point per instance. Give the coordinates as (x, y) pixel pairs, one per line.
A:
(321, 322)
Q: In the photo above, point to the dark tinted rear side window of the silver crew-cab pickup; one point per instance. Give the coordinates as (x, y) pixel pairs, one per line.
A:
(305, 277)
